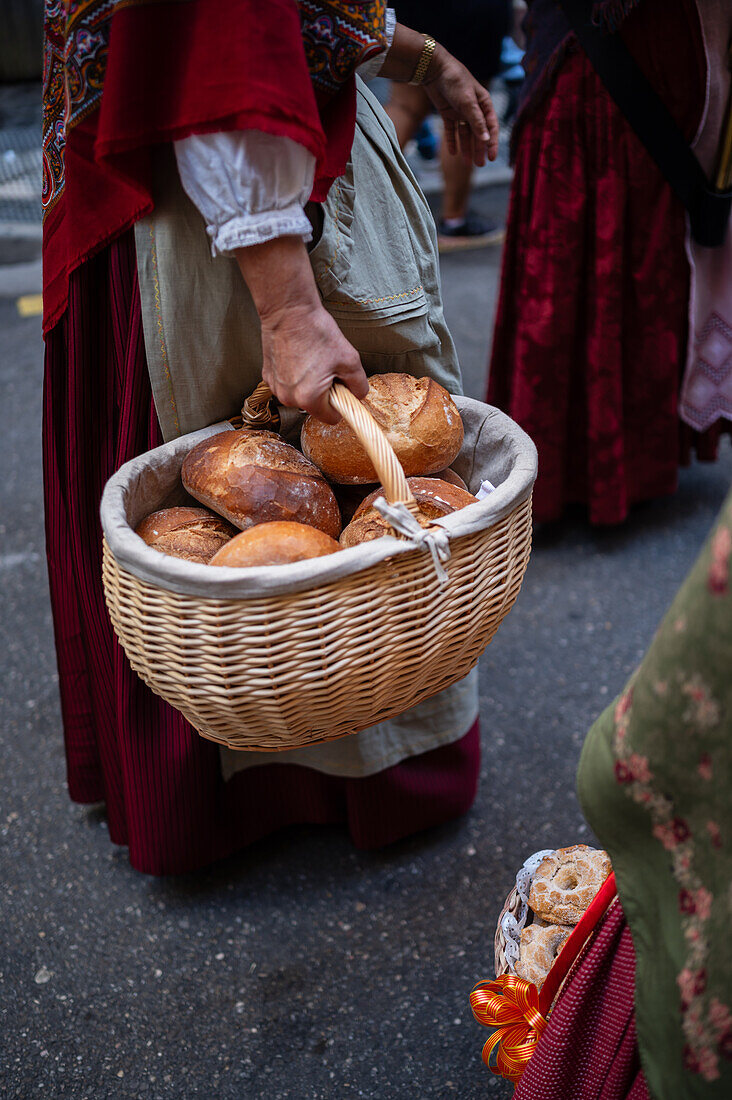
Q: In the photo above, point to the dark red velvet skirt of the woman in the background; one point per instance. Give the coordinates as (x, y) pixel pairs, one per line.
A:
(592, 326)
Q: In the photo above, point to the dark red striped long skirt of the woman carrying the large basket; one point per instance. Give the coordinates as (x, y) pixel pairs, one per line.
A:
(162, 783)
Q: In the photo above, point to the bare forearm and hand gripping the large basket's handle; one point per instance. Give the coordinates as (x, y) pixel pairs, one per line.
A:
(303, 349)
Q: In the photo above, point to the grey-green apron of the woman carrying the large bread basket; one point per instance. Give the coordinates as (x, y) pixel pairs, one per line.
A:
(377, 268)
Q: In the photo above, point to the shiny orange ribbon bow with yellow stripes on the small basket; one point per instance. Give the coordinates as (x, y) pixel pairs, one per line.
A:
(511, 1006)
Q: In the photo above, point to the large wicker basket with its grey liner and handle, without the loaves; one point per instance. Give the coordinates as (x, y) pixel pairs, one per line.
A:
(294, 655)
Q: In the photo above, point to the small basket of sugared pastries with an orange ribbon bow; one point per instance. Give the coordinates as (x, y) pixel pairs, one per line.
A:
(544, 929)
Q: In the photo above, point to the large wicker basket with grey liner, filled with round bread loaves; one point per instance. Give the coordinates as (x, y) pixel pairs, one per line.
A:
(282, 590)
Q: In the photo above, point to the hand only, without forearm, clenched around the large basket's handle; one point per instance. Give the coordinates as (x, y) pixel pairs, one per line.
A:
(303, 353)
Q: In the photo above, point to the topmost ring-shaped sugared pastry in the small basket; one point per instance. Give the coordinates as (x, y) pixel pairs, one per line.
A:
(566, 883)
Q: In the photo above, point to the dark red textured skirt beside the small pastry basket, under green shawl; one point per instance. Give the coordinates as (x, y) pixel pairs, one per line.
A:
(589, 1050)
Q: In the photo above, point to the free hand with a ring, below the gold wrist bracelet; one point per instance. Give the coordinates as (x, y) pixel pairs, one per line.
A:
(472, 126)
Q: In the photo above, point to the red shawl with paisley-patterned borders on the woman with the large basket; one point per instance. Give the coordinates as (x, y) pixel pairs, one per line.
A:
(124, 75)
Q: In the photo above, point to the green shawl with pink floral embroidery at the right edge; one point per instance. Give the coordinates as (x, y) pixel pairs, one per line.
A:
(655, 783)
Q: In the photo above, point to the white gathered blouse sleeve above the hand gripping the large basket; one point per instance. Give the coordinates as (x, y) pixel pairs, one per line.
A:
(249, 186)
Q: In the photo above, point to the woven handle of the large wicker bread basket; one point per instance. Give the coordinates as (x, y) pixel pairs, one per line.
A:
(257, 413)
